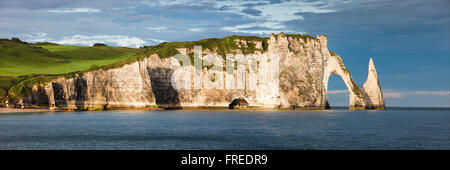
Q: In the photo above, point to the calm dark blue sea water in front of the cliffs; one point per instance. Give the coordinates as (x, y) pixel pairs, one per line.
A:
(395, 128)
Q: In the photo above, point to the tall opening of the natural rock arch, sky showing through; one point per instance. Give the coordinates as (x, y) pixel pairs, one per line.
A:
(337, 93)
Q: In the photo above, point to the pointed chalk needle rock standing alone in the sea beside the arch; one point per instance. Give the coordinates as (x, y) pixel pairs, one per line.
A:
(373, 96)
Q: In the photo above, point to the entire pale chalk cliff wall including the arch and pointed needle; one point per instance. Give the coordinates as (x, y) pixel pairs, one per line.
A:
(291, 73)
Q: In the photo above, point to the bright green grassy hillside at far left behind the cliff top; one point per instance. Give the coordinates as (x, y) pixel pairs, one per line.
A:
(18, 59)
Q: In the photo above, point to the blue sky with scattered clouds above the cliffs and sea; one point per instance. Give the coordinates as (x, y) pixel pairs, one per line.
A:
(407, 39)
